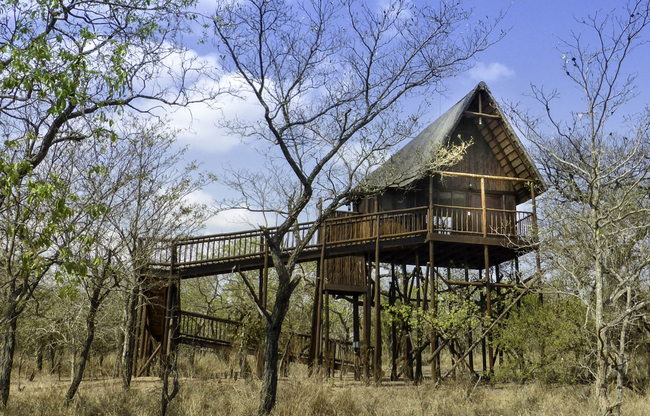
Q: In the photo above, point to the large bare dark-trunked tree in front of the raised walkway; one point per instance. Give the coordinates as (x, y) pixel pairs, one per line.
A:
(330, 78)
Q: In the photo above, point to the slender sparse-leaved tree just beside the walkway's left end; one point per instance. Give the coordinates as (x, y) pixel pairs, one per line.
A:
(152, 204)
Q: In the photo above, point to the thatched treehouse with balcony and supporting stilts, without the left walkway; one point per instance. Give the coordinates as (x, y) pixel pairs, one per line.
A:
(418, 211)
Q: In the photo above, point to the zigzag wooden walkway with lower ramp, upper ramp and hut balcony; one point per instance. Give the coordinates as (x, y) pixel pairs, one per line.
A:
(345, 243)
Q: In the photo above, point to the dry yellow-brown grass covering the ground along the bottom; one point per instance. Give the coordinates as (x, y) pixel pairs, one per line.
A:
(301, 395)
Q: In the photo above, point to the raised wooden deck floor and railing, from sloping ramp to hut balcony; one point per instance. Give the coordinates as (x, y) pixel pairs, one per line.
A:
(398, 234)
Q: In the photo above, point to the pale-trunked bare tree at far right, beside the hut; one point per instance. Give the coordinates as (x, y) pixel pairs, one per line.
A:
(597, 217)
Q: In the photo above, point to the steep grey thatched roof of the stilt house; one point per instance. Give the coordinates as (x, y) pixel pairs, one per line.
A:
(412, 162)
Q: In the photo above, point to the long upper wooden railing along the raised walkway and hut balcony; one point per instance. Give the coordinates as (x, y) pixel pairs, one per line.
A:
(347, 230)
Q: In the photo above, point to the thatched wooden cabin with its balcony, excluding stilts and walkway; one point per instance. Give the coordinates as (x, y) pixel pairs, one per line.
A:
(471, 202)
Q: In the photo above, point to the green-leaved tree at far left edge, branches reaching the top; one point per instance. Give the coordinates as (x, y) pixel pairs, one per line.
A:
(66, 68)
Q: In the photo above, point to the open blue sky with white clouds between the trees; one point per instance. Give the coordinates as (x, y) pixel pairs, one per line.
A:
(529, 54)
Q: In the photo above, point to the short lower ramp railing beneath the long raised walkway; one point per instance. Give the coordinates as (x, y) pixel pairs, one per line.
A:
(199, 327)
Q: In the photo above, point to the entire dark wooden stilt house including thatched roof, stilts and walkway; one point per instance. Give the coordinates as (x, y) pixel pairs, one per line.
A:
(427, 225)
